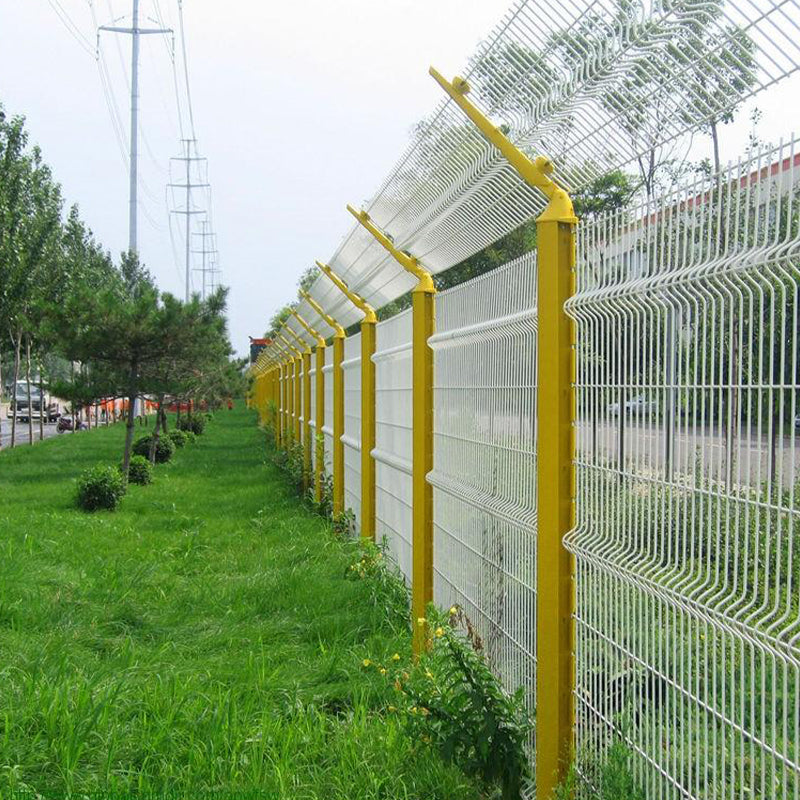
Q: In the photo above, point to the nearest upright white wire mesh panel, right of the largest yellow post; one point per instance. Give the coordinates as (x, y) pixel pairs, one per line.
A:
(687, 542)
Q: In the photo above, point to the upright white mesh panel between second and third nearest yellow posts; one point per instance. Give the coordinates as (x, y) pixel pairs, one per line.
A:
(393, 441)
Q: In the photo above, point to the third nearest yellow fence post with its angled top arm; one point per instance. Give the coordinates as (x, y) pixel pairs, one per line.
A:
(368, 325)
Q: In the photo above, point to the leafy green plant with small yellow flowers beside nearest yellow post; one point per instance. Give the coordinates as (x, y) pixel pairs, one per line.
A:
(453, 701)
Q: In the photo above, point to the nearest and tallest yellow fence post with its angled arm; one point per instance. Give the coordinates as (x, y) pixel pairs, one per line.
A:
(555, 590)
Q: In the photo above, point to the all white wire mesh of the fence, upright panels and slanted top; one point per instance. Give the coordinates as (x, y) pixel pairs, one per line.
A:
(686, 427)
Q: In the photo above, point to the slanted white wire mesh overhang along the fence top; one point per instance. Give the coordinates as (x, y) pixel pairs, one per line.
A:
(594, 85)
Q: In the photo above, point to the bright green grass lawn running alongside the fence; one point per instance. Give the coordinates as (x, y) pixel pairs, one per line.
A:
(203, 638)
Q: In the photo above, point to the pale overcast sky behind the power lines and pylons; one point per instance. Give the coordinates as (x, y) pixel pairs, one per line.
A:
(299, 107)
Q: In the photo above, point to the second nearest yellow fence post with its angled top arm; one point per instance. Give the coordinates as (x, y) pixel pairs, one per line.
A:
(423, 310)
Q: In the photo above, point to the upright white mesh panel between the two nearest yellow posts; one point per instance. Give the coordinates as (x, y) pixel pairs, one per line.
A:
(484, 474)
